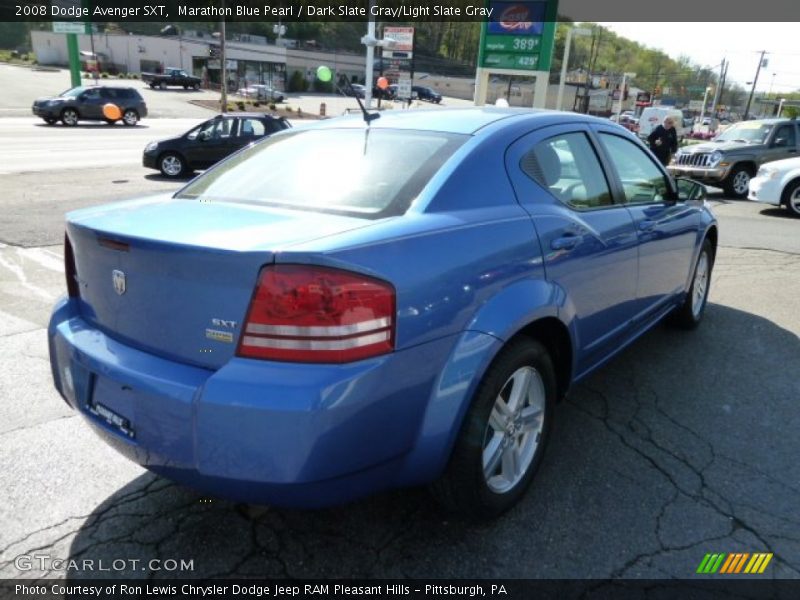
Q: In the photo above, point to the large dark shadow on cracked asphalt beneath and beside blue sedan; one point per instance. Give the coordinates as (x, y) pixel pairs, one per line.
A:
(683, 442)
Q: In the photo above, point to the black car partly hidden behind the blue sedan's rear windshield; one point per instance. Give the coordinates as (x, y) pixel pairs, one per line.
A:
(209, 142)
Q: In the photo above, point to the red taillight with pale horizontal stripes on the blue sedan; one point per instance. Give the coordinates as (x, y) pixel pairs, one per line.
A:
(304, 313)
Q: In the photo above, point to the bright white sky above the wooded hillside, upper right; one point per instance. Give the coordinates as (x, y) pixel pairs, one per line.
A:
(740, 43)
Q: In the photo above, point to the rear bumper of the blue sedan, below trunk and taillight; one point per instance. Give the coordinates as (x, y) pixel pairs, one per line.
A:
(258, 431)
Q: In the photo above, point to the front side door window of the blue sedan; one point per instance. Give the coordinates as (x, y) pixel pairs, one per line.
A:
(642, 181)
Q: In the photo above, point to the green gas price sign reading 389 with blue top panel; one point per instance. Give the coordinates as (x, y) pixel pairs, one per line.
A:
(519, 35)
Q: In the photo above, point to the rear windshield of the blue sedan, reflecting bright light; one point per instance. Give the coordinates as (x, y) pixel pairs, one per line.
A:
(364, 172)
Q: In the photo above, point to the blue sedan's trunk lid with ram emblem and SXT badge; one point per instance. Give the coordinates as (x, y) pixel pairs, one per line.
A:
(175, 277)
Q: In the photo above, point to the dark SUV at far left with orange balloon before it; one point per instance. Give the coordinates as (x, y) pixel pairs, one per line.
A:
(86, 104)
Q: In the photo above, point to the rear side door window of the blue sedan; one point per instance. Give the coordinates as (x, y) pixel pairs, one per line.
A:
(568, 167)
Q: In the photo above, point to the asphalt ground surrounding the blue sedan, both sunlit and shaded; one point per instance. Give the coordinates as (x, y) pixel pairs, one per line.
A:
(684, 444)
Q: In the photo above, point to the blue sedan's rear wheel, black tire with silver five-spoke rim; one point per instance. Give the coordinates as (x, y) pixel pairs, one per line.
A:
(466, 487)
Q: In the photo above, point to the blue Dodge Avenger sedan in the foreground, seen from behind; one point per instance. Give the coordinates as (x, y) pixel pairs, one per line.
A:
(353, 307)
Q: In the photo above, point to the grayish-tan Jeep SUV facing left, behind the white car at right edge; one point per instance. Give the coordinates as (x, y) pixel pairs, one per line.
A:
(732, 158)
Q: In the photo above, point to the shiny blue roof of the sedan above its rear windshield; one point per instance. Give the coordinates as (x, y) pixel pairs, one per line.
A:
(467, 120)
